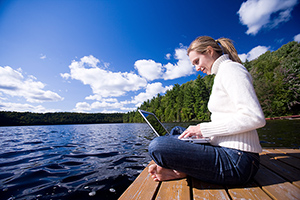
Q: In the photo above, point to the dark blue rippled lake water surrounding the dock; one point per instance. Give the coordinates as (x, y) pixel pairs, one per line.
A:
(96, 161)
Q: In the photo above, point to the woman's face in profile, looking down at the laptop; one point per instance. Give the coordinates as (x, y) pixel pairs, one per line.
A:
(202, 62)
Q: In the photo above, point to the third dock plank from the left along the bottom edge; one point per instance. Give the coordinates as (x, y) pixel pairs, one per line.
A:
(202, 190)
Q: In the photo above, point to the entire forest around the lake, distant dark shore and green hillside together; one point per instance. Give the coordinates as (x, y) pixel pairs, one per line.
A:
(276, 79)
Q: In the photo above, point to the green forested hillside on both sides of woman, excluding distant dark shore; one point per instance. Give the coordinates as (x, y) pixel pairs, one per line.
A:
(276, 79)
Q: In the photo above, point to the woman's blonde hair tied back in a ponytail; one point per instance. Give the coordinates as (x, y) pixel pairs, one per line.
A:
(220, 46)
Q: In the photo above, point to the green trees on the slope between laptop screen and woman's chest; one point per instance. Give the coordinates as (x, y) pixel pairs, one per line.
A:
(186, 102)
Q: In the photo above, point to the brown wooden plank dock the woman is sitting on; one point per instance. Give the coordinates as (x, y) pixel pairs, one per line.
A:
(277, 178)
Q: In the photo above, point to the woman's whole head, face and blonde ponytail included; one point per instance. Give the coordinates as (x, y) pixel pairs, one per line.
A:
(205, 47)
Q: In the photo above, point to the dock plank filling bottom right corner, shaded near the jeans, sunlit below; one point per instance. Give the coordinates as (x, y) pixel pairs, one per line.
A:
(275, 186)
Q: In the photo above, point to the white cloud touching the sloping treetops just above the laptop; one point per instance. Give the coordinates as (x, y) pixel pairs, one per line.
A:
(151, 91)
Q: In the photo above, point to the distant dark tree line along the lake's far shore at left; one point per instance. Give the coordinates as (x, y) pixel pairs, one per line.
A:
(28, 118)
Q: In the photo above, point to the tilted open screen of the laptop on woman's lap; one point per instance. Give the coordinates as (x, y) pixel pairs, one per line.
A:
(154, 123)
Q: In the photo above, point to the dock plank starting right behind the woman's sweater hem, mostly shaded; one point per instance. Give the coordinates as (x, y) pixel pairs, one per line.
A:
(283, 157)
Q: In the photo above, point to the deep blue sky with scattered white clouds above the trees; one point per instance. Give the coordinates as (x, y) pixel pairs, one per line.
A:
(110, 56)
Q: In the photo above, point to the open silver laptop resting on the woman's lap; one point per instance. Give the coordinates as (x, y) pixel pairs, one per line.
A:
(159, 129)
